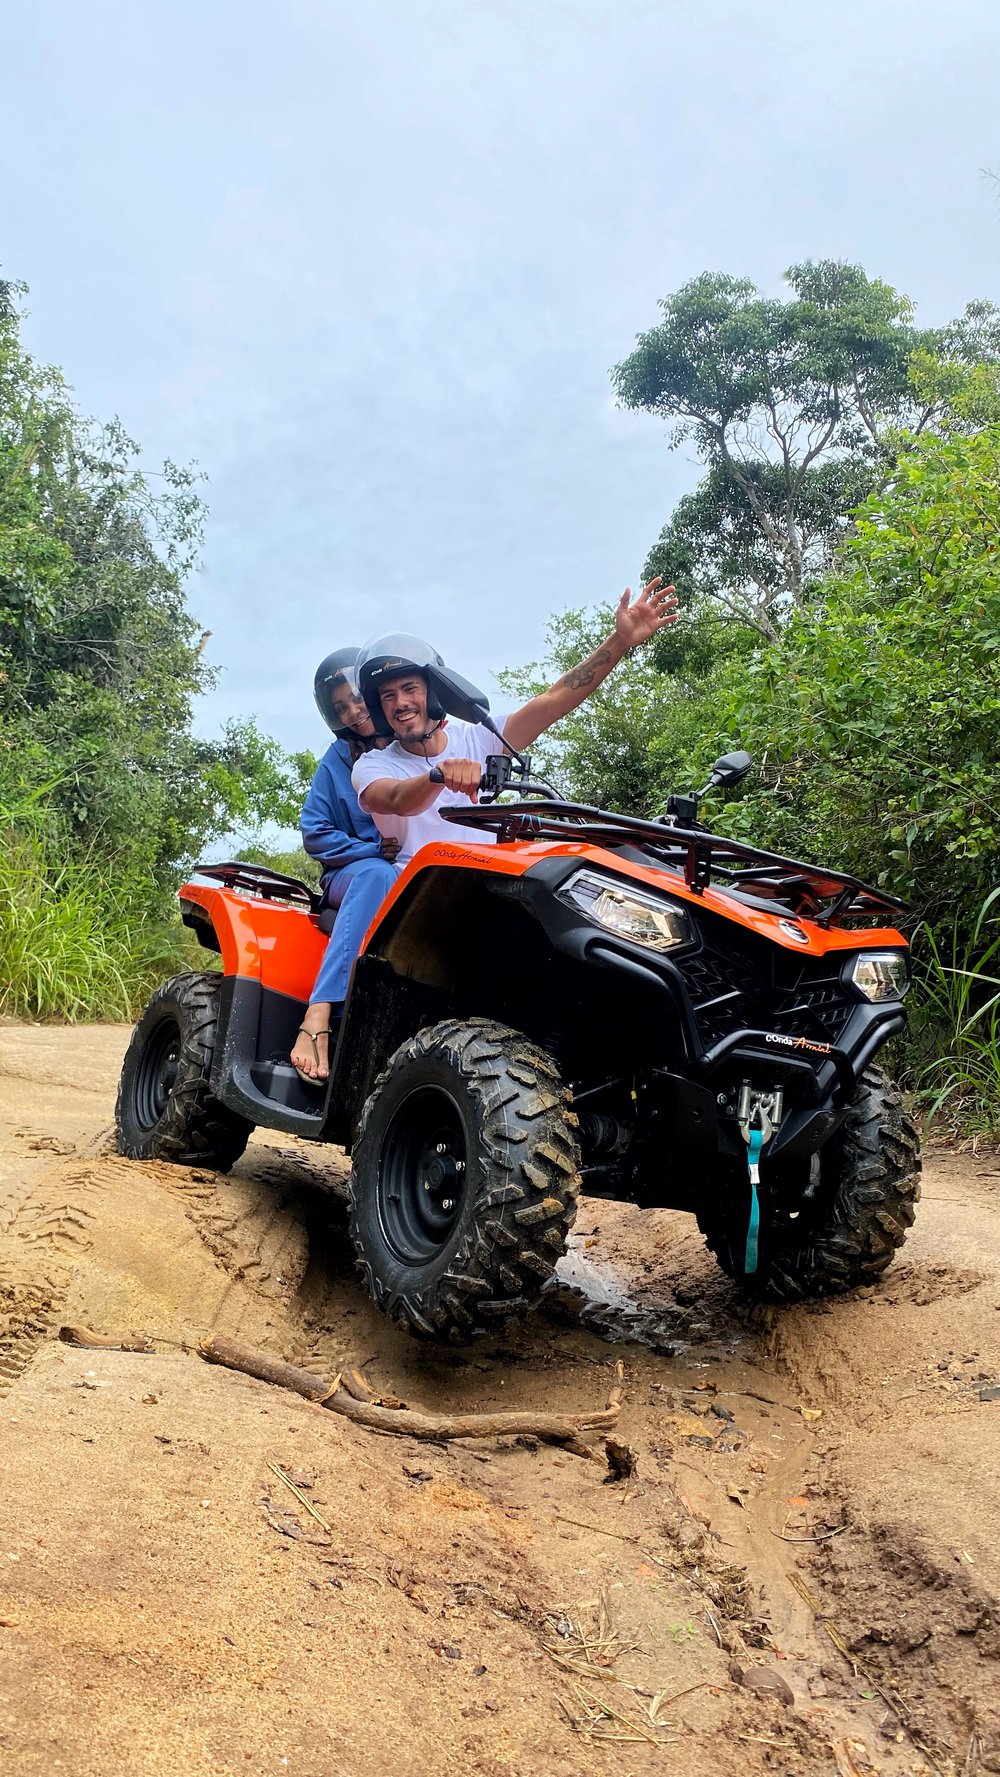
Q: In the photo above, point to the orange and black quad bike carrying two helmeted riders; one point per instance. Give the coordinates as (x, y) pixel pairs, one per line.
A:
(567, 998)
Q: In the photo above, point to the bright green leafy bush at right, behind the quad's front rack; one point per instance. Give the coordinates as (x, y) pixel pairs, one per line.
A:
(877, 717)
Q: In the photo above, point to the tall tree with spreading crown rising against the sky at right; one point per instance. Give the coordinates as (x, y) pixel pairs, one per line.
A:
(797, 410)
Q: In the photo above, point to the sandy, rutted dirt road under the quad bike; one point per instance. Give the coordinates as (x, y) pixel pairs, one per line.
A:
(800, 1577)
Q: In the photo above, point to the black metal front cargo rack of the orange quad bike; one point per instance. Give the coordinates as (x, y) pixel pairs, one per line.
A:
(702, 857)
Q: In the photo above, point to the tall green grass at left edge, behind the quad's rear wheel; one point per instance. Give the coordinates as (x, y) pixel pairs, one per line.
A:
(74, 943)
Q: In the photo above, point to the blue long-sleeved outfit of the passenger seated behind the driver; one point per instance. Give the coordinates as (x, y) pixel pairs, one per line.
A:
(356, 875)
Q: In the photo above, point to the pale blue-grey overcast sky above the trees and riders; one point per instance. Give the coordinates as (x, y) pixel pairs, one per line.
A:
(369, 264)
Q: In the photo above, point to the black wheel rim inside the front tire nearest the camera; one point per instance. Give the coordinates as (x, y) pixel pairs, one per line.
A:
(422, 1175)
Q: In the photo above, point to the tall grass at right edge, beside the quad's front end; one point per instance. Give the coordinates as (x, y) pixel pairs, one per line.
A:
(962, 1008)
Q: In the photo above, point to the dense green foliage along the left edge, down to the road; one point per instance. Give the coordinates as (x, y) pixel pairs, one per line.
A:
(106, 790)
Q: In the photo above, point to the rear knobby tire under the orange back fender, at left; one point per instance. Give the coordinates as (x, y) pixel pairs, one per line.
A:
(166, 1110)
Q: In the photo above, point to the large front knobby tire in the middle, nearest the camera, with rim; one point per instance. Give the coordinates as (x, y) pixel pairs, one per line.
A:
(464, 1179)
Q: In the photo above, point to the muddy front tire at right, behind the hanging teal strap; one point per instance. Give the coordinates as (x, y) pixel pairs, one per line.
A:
(850, 1231)
